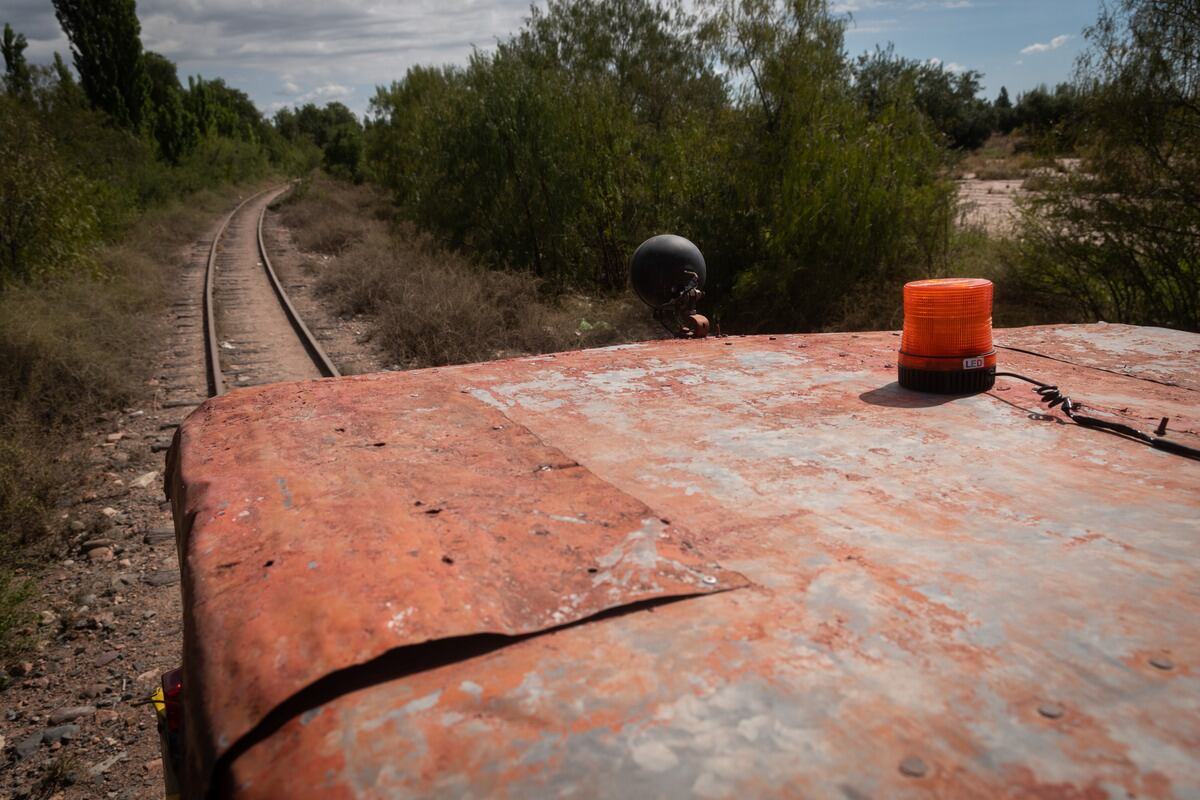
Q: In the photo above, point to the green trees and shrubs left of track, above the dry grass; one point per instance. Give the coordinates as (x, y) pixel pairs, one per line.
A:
(81, 160)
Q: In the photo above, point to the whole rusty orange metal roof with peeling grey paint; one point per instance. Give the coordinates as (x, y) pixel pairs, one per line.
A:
(731, 567)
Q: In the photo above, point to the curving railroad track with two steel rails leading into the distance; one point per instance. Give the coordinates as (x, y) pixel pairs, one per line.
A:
(253, 333)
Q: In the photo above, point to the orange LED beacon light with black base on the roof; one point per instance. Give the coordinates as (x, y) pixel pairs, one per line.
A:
(946, 346)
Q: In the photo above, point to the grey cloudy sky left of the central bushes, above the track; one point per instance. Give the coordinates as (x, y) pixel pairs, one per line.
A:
(280, 50)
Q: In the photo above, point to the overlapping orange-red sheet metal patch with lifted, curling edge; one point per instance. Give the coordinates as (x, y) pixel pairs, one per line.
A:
(326, 524)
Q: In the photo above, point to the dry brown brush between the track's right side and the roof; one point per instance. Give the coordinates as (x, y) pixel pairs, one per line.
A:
(430, 306)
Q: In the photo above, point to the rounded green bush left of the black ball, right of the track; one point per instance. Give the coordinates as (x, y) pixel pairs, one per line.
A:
(561, 152)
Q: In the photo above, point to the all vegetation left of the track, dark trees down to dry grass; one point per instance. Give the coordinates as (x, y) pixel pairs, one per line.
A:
(89, 160)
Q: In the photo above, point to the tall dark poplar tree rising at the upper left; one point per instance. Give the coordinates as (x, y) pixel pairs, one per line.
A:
(107, 49)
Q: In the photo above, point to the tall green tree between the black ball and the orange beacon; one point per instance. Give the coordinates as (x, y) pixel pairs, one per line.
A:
(833, 195)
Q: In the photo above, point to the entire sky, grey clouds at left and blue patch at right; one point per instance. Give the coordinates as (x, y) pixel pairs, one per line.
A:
(293, 52)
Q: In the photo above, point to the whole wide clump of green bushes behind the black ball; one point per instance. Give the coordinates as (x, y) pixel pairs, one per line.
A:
(605, 122)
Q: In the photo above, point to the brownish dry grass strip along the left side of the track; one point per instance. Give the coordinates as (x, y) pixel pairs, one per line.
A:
(71, 350)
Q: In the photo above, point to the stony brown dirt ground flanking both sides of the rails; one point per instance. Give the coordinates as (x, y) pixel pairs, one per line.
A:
(75, 723)
